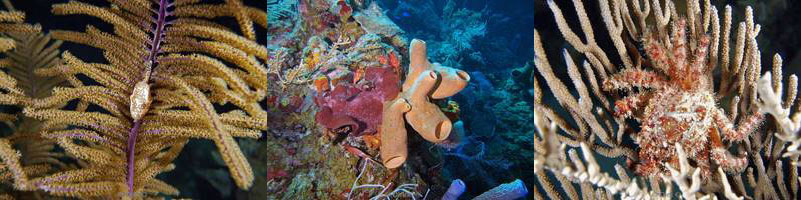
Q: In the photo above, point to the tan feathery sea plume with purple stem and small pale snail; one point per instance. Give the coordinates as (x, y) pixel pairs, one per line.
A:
(164, 73)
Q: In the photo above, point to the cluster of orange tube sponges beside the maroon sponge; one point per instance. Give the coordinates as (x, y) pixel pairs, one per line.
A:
(424, 81)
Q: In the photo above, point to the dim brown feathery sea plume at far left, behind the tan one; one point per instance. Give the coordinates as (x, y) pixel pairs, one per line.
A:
(38, 156)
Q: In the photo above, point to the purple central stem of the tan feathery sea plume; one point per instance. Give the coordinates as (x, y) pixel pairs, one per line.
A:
(154, 45)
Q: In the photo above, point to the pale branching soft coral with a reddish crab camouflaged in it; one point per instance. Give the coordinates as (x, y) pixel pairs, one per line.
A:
(688, 94)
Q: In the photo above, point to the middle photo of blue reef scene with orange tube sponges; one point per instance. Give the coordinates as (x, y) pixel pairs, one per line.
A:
(397, 100)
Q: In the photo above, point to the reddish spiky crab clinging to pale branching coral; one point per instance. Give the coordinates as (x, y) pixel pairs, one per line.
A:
(676, 103)
